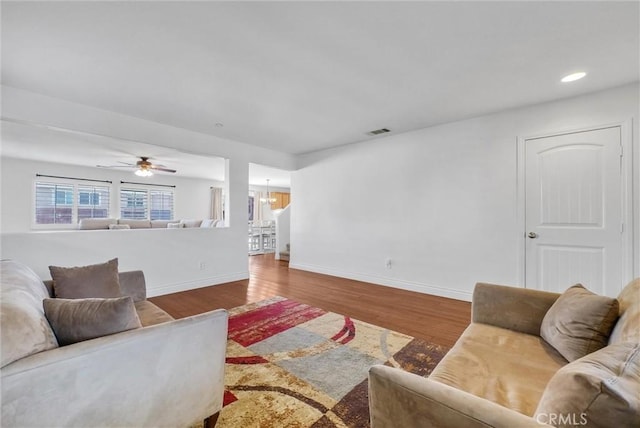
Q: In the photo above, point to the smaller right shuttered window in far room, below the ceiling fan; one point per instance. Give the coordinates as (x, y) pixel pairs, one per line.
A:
(141, 204)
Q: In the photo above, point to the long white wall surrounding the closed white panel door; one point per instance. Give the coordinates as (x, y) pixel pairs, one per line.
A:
(440, 202)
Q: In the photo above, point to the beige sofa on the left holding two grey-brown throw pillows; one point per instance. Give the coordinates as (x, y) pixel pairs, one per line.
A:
(169, 373)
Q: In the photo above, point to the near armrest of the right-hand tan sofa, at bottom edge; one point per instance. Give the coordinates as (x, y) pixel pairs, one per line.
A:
(401, 399)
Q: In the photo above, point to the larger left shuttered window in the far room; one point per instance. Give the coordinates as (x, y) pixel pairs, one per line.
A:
(67, 203)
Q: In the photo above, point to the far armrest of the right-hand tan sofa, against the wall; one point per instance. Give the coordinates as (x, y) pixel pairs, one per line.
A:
(517, 309)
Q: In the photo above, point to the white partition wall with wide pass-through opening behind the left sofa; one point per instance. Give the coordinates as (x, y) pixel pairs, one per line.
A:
(171, 260)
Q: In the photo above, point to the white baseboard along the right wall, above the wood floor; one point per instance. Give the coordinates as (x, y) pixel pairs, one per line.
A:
(389, 282)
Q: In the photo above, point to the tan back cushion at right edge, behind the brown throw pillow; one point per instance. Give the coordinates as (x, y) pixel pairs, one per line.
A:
(627, 328)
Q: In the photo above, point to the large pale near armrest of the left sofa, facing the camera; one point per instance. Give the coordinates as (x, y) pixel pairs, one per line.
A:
(167, 375)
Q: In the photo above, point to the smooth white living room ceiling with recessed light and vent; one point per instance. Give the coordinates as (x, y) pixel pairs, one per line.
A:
(302, 76)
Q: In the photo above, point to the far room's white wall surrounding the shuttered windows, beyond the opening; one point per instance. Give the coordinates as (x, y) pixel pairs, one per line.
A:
(192, 197)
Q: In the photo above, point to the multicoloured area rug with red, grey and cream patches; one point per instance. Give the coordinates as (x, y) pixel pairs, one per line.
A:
(293, 365)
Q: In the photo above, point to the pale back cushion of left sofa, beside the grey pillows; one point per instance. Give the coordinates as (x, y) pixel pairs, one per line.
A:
(25, 329)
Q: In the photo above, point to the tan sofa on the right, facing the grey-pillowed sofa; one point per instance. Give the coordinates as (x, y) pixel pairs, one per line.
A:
(500, 370)
